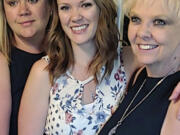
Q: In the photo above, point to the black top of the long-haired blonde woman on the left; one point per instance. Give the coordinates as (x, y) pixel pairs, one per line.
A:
(20, 66)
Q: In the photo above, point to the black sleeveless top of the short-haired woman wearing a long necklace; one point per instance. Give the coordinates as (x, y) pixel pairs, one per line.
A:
(146, 119)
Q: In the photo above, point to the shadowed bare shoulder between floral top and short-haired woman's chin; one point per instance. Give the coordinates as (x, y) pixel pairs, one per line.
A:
(130, 61)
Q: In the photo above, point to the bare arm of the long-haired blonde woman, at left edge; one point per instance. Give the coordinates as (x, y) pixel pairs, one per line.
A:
(5, 96)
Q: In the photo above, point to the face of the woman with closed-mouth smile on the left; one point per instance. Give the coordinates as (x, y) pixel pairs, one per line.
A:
(27, 18)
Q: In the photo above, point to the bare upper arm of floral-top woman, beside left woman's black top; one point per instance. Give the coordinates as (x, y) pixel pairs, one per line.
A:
(34, 102)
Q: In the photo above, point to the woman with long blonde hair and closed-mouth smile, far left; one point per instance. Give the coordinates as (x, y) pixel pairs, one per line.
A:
(23, 28)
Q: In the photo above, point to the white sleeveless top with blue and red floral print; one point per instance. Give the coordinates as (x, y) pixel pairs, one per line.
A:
(68, 116)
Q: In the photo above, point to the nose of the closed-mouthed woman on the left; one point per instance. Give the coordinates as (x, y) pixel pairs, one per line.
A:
(24, 8)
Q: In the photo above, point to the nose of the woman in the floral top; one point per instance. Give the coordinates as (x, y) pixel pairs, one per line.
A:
(76, 15)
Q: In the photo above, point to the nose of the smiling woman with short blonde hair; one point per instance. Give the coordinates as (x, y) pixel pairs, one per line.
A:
(144, 31)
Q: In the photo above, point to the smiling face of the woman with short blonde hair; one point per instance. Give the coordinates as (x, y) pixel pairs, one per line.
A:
(154, 32)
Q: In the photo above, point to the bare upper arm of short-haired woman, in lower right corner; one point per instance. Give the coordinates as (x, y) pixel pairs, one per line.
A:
(171, 125)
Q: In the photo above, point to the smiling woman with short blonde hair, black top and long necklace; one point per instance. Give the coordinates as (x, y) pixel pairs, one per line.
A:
(154, 36)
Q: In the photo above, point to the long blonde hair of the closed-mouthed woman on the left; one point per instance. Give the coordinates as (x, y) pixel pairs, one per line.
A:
(6, 34)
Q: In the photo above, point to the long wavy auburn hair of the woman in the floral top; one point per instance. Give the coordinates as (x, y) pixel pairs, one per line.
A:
(106, 39)
